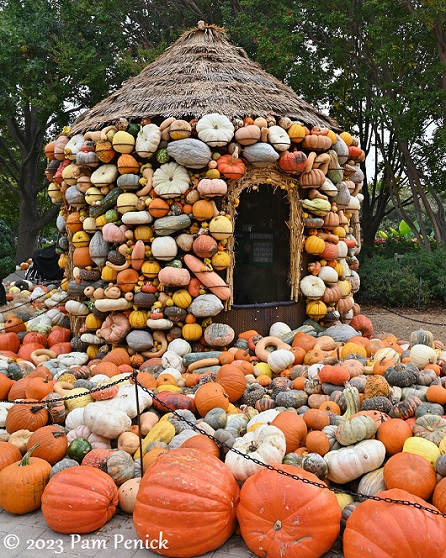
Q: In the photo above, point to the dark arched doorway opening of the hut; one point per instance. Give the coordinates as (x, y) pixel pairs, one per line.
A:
(262, 247)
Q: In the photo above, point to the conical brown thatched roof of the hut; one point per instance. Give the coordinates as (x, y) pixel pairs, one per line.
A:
(201, 73)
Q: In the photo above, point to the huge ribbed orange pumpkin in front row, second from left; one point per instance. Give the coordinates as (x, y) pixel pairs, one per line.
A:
(186, 493)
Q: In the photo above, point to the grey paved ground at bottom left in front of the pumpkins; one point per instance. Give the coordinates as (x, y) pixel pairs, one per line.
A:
(28, 536)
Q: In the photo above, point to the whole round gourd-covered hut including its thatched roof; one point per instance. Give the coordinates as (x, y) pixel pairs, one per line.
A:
(202, 198)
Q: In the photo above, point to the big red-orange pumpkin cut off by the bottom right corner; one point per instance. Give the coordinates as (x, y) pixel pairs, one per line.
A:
(386, 530)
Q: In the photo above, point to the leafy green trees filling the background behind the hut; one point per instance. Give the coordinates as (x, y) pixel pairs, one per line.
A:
(378, 67)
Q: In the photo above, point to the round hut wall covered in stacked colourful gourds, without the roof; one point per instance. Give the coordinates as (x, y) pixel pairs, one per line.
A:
(148, 209)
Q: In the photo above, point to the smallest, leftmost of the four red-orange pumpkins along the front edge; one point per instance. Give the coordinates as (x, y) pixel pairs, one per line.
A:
(79, 500)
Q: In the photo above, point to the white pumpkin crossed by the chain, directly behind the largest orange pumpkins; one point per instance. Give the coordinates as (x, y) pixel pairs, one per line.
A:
(266, 444)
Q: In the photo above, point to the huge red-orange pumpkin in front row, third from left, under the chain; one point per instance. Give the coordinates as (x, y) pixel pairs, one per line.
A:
(280, 516)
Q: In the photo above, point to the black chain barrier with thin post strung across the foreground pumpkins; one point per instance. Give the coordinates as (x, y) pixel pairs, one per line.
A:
(220, 444)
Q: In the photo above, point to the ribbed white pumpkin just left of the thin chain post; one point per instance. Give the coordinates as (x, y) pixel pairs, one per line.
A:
(105, 419)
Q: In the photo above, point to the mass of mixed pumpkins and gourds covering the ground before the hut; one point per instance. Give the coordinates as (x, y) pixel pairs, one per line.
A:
(338, 408)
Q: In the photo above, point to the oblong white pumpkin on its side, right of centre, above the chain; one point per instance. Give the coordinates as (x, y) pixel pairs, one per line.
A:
(351, 462)
